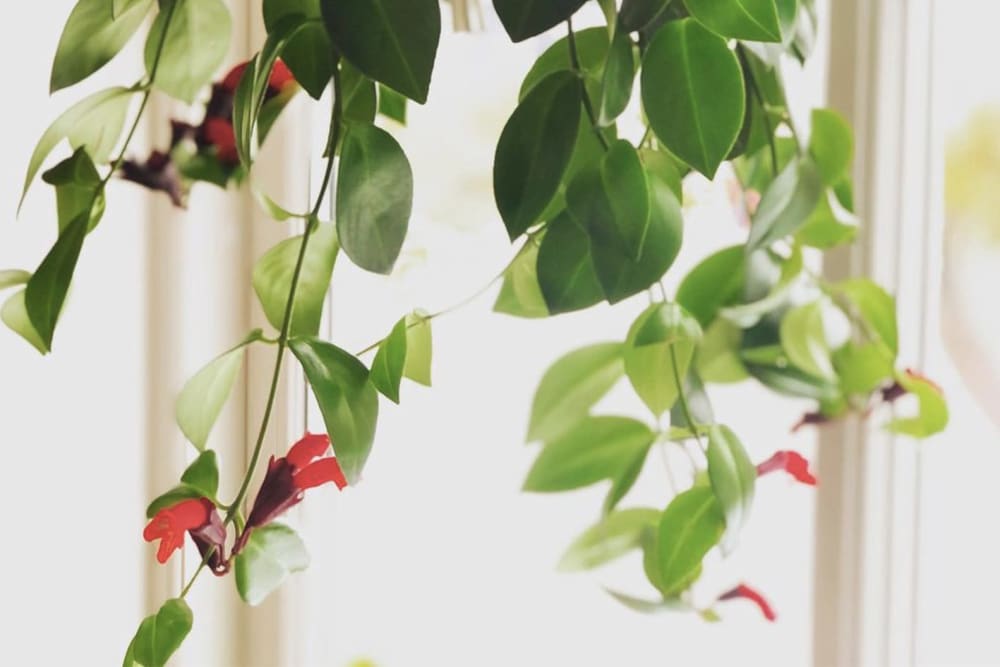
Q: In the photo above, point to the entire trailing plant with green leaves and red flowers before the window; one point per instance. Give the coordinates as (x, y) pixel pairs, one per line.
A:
(599, 217)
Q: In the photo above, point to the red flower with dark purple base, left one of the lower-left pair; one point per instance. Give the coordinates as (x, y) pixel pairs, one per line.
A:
(196, 516)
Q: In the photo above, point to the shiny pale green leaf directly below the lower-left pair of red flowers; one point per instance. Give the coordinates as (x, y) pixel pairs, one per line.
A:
(271, 555)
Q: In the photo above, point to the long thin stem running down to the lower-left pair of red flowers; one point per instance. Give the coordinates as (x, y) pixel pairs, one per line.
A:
(286, 324)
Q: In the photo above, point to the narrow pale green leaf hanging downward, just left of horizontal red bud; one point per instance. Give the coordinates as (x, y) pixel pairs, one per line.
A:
(733, 476)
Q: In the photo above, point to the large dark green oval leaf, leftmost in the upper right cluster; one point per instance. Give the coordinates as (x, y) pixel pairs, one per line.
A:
(534, 150)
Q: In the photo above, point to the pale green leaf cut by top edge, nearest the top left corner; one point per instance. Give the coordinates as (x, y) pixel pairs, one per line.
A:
(93, 36)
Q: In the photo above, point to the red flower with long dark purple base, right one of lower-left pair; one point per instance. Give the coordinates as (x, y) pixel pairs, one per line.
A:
(288, 477)
